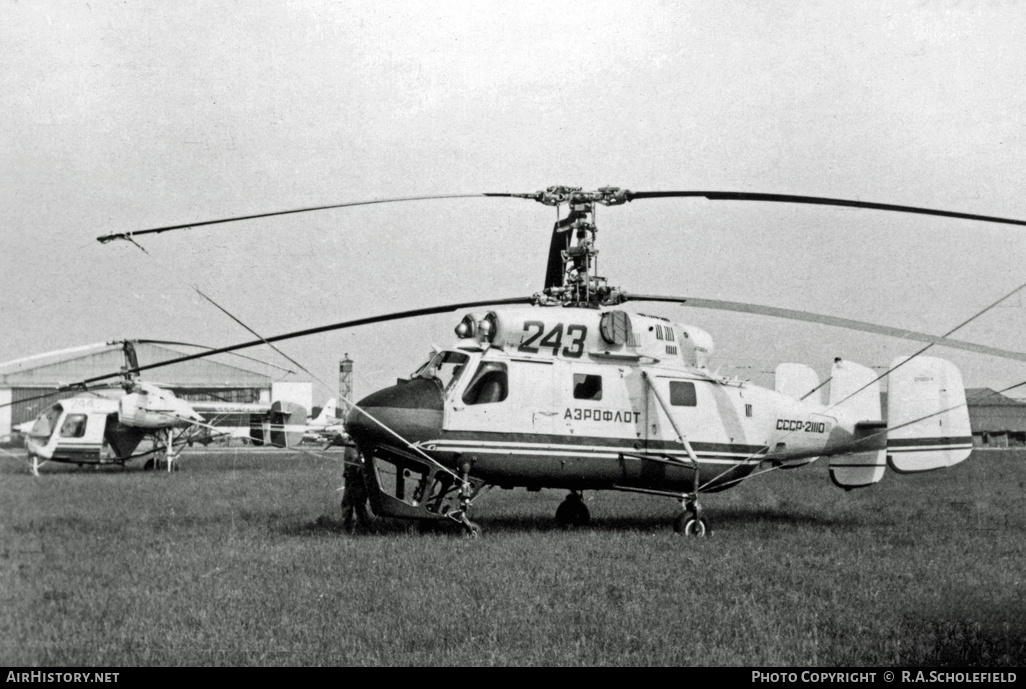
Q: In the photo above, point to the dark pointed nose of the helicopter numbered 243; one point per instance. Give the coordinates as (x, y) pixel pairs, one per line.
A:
(411, 410)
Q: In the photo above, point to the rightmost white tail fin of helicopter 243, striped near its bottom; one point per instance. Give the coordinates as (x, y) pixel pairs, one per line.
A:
(927, 416)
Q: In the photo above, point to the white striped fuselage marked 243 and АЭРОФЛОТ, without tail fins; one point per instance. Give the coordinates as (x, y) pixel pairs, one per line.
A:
(569, 397)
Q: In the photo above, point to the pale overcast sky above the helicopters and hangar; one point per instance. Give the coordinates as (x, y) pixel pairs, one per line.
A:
(125, 116)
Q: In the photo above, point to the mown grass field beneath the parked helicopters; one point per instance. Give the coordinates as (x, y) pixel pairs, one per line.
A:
(240, 559)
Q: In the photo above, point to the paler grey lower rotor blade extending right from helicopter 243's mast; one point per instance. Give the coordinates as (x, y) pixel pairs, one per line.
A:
(790, 314)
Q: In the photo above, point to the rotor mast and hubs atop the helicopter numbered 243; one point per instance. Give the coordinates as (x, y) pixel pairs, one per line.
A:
(571, 277)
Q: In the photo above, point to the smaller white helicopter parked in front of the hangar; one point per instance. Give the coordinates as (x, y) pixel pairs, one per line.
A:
(139, 420)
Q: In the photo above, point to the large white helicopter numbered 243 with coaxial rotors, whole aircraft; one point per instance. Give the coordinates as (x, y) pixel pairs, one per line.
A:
(567, 390)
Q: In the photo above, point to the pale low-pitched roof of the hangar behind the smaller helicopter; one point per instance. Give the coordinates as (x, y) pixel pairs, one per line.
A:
(68, 369)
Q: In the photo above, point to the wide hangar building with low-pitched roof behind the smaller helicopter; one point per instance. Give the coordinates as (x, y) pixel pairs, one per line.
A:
(198, 380)
